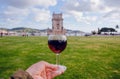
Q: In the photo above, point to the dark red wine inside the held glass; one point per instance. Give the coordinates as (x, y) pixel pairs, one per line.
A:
(57, 46)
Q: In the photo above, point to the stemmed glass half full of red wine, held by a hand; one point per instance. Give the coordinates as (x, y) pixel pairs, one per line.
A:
(57, 43)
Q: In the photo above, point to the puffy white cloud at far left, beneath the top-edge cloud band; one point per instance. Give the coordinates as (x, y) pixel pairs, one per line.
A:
(14, 15)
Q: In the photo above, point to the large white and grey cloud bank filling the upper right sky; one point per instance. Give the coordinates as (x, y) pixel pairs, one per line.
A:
(89, 11)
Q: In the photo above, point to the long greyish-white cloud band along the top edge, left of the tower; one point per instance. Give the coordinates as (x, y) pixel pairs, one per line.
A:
(29, 3)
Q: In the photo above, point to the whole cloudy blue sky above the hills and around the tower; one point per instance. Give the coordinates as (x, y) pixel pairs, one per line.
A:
(83, 15)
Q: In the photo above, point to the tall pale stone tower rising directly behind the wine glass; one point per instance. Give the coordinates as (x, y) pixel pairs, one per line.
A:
(57, 25)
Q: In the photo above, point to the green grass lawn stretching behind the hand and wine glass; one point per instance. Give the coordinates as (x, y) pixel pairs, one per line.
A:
(85, 57)
